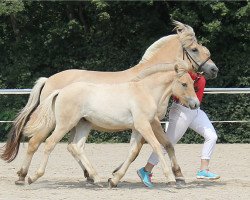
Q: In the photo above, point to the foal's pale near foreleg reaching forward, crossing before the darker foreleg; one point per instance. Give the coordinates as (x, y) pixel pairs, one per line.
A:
(144, 128)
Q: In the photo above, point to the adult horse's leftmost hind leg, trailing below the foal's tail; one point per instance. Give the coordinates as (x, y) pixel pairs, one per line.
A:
(33, 145)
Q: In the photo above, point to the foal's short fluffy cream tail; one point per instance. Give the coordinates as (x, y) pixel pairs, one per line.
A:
(43, 118)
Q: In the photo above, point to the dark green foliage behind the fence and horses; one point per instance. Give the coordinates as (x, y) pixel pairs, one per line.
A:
(41, 38)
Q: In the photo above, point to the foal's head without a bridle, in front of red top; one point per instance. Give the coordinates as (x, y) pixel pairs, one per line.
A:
(183, 86)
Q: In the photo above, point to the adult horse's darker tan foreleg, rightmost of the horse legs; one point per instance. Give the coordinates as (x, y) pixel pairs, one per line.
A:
(162, 138)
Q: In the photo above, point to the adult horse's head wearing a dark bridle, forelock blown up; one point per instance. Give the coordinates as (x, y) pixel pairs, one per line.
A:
(196, 54)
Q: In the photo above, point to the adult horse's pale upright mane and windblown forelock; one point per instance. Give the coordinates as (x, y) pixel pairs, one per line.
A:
(186, 36)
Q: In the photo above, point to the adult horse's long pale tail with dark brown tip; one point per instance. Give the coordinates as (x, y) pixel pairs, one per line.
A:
(10, 150)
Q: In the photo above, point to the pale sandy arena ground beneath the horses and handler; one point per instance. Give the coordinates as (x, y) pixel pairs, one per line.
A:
(64, 178)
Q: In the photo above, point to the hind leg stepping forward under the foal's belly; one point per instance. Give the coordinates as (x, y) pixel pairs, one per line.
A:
(76, 148)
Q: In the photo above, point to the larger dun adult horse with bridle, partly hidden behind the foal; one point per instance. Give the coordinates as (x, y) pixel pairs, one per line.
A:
(182, 45)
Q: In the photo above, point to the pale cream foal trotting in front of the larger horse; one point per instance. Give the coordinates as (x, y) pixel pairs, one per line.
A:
(131, 105)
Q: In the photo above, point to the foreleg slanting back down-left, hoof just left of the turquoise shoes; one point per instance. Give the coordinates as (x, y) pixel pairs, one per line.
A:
(136, 143)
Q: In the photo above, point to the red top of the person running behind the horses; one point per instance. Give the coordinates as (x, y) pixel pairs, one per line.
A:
(199, 85)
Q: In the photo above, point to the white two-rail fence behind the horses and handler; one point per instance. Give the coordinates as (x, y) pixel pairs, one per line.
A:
(207, 91)
